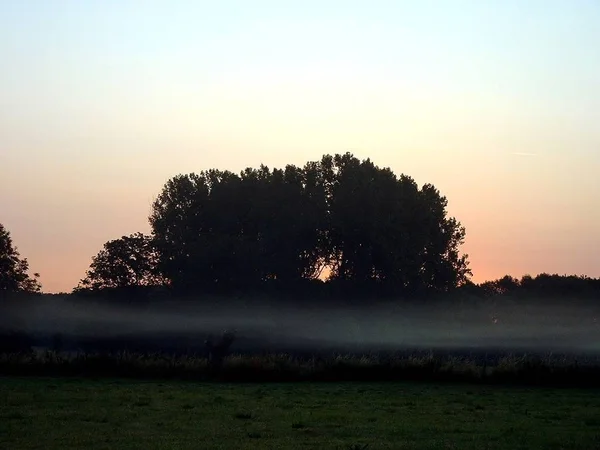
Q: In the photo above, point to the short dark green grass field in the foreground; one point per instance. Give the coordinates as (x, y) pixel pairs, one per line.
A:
(50, 413)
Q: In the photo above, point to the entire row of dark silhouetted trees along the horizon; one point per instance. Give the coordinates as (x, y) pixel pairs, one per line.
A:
(334, 227)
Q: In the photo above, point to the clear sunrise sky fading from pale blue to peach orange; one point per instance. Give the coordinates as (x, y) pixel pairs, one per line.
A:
(496, 103)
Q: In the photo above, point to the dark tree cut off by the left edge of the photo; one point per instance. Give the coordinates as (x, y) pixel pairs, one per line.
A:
(14, 270)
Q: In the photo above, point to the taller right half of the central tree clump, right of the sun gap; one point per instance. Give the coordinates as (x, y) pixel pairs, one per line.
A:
(384, 229)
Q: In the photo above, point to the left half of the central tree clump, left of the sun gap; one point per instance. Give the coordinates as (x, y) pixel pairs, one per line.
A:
(221, 229)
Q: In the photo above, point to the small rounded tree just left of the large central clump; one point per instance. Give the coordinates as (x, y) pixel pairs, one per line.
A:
(129, 261)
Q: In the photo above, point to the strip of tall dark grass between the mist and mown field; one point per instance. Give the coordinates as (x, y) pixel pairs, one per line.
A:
(523, 369)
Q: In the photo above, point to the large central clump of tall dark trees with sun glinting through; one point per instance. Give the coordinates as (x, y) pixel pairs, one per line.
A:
(369, 226)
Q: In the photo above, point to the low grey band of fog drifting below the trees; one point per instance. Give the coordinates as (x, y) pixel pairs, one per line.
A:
(507, 325)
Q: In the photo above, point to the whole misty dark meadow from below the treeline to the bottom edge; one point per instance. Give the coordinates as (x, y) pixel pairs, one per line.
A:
(156, 388)
